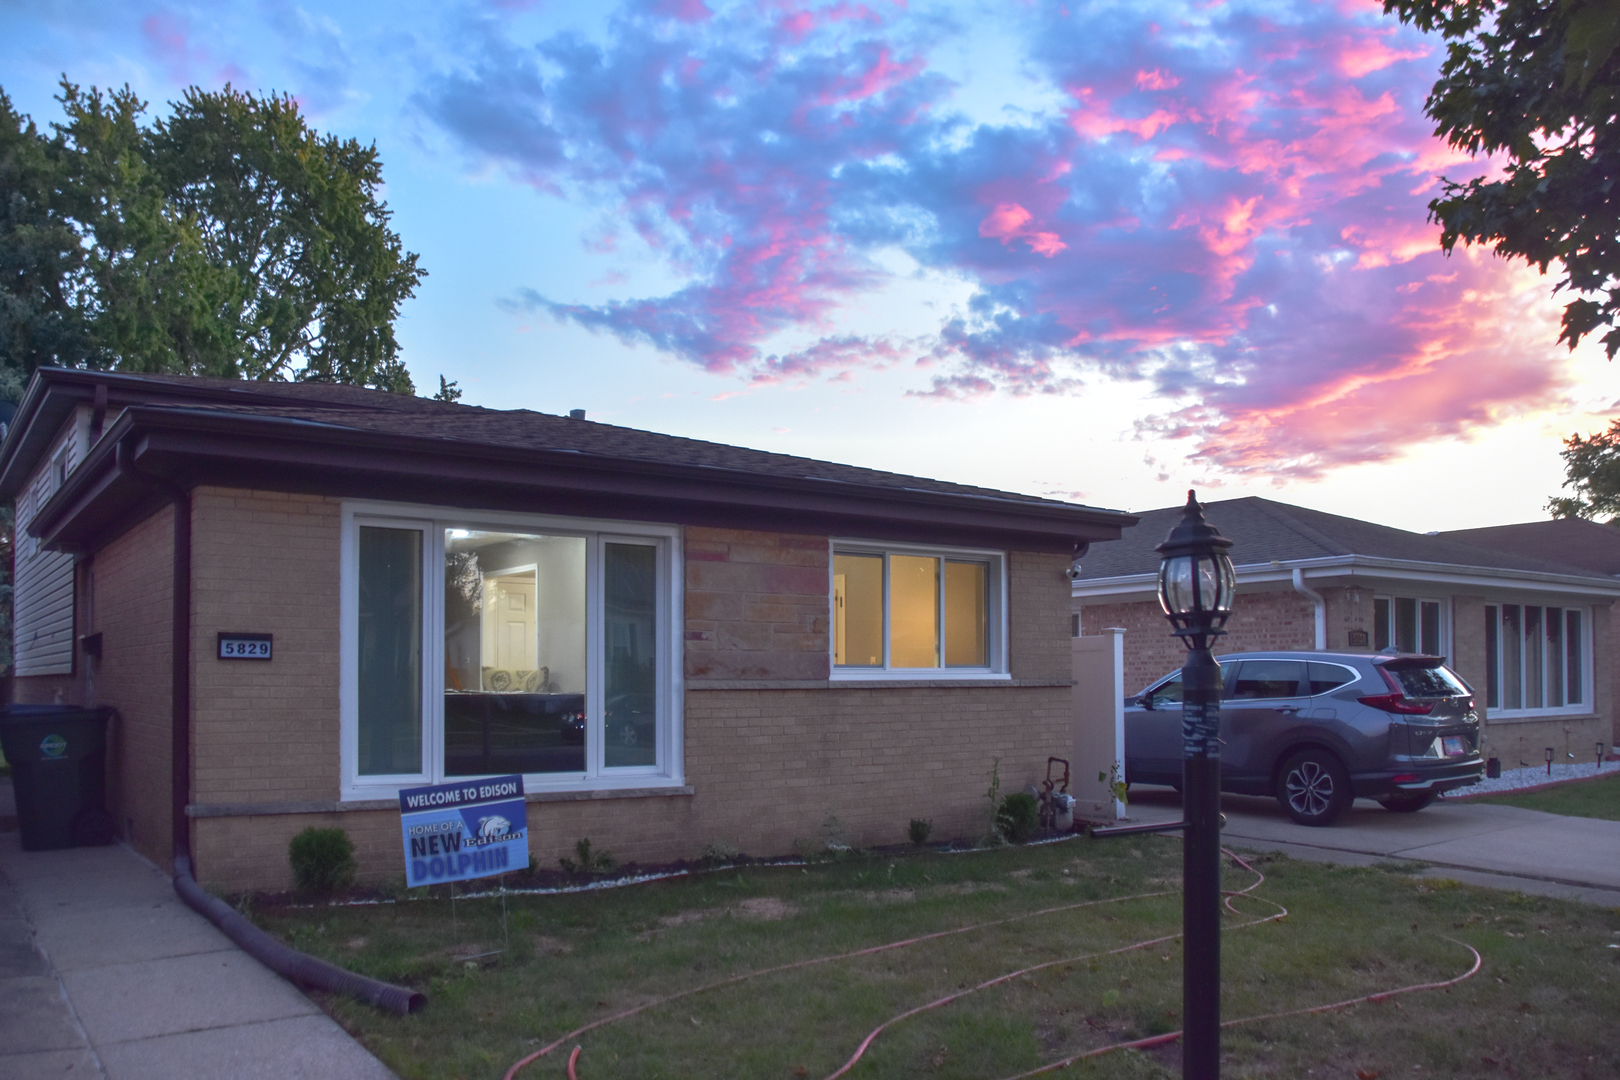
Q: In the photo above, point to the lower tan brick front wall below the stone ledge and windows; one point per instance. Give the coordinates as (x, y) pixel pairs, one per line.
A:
(769, 768)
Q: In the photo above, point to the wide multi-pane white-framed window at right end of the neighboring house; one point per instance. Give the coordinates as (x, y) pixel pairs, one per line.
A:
(1537, 658)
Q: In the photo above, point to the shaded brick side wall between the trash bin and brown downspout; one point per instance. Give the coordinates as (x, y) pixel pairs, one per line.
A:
(132, 606)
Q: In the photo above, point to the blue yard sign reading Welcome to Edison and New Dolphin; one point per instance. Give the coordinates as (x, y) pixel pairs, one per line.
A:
(466, 830)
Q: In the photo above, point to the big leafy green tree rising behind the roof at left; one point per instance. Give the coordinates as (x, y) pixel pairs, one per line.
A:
(228, 239)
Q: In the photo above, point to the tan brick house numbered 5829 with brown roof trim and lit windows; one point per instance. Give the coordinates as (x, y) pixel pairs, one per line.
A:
(675, 642)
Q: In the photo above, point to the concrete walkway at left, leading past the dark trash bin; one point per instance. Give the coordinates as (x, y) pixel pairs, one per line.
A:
(106, 974)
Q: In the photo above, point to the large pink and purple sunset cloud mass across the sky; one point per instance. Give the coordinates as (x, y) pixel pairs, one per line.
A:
(1232, 206)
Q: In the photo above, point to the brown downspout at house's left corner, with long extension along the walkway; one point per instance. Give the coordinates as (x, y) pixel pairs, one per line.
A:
(297, 967)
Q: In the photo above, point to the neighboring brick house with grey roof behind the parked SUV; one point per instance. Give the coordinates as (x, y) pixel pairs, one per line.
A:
(1532, 632)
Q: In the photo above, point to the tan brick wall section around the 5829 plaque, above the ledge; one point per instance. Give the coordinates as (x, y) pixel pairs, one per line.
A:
(265, 563)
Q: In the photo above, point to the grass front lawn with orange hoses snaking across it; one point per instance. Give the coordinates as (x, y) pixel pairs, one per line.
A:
(1545, 1001)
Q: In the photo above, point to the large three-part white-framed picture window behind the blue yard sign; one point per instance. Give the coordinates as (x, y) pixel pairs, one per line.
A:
(480, 645)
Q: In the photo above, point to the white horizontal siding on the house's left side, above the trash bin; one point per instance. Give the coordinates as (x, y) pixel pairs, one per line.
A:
(43, 590)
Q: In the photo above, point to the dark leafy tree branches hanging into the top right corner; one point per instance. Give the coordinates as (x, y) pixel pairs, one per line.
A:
(1537, 83)
